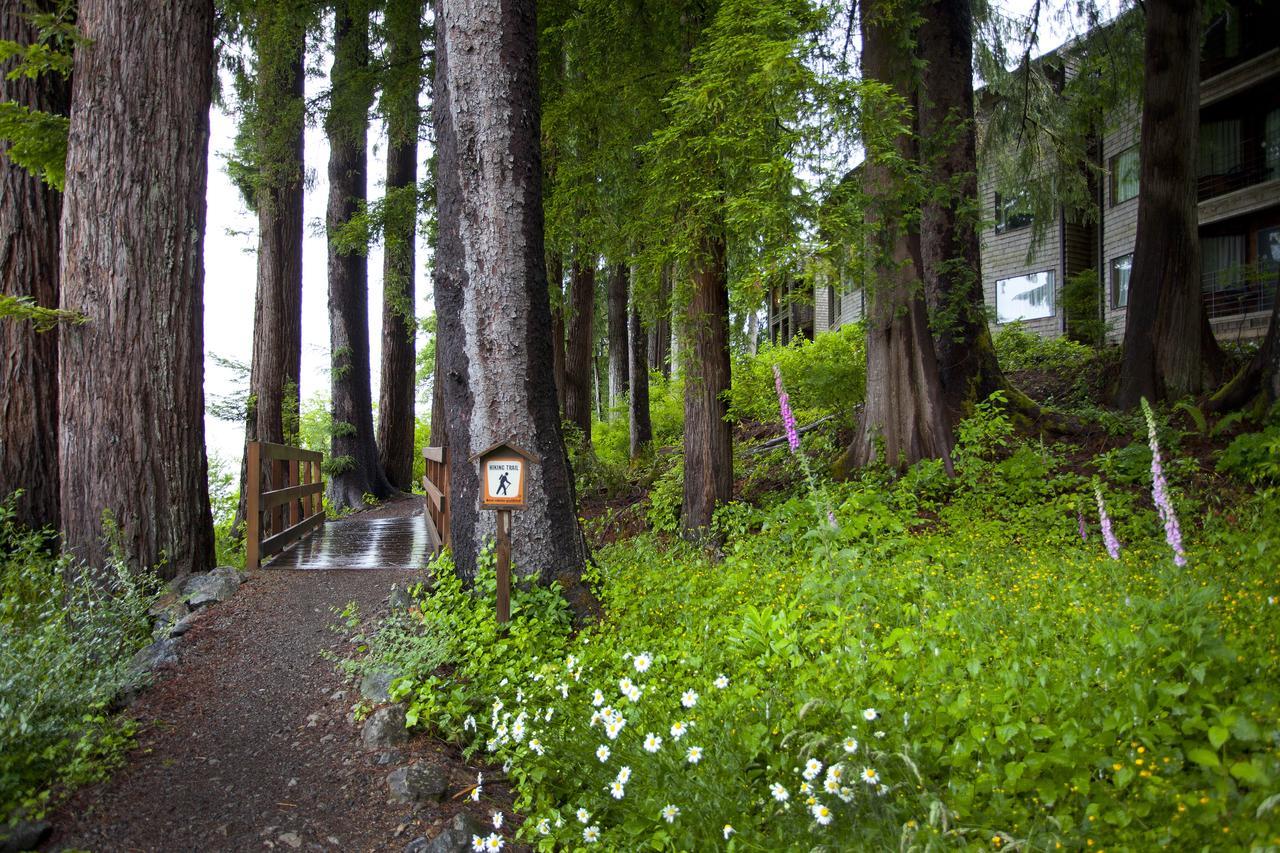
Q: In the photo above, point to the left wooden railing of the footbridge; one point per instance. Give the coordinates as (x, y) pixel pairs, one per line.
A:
(285, 499)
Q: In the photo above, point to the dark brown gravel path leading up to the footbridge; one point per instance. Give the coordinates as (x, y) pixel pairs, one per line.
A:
(248, 745)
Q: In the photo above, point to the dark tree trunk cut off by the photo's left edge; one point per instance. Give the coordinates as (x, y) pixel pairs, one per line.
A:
(30, 216)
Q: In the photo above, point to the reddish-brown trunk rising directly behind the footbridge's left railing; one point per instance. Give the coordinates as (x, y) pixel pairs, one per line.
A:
(278, 118)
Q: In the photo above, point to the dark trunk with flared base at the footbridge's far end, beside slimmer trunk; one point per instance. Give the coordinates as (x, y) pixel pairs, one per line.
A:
(355, 469)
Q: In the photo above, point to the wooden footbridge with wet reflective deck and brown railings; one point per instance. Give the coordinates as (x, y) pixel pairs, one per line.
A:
(286, 526)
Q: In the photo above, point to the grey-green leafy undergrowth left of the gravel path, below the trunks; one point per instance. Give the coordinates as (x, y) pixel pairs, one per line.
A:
(67, 635)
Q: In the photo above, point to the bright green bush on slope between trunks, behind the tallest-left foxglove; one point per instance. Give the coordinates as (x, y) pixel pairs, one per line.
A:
(826, 376)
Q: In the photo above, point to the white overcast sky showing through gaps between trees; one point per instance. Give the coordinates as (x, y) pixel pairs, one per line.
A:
(231, 244)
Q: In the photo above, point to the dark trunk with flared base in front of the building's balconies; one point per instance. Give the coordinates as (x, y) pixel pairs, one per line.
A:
(1169, 346)
